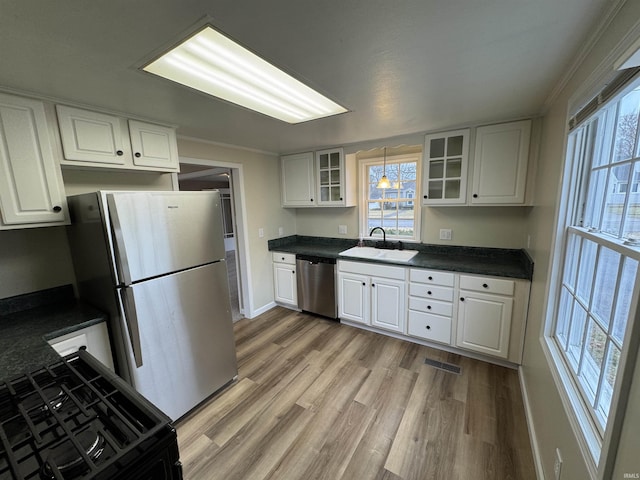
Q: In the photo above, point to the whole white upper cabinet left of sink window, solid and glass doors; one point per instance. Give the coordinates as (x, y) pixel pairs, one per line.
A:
(321, 179)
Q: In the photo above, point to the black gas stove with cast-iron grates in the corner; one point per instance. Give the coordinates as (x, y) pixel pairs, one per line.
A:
(75, 419)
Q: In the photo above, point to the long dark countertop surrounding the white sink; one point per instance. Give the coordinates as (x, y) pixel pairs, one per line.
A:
(499, 262)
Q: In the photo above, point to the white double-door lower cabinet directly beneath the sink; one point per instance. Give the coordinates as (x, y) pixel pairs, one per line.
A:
(372, 294)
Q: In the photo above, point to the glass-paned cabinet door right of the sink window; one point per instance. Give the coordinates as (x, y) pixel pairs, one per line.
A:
(446, 159)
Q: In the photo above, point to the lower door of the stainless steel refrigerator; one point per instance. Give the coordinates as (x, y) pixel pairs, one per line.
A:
(180, 335)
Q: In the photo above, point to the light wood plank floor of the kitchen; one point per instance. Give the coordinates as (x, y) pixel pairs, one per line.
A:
(319, 400)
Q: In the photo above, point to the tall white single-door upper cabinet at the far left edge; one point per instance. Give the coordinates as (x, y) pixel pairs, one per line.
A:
(31, 189)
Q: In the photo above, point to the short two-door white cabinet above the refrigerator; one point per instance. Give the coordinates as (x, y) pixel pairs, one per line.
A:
(94, 139)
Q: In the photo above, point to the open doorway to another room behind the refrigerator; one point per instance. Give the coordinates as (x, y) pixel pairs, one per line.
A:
(210, 175)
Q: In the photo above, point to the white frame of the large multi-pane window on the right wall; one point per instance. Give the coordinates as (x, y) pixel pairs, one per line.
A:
(595, 443)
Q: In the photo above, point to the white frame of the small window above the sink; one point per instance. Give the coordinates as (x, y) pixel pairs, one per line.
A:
(363, 166)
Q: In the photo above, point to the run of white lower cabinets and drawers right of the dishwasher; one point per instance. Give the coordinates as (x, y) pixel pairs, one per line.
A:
(477, 313)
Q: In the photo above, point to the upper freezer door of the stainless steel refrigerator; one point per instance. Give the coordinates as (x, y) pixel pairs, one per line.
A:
(156, 233)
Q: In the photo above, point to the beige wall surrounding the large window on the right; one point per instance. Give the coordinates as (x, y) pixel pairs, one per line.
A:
(547, 413)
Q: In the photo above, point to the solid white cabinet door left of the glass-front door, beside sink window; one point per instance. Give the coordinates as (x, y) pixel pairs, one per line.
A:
(298, 180)
